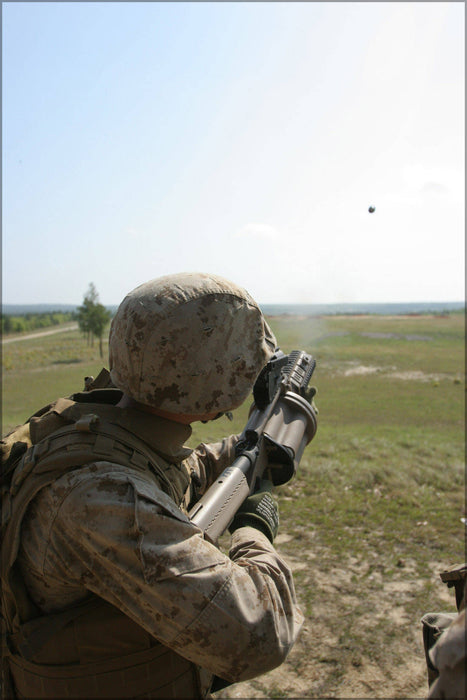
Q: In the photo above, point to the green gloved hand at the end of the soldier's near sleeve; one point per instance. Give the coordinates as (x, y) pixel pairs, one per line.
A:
(260, 511)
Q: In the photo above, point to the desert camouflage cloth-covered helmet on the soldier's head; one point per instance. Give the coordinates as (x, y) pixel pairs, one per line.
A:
(190, 343)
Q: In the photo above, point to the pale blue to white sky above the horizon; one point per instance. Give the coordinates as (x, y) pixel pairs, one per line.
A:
(242, 139)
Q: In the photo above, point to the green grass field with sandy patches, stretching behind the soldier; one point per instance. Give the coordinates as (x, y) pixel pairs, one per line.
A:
(374, 513)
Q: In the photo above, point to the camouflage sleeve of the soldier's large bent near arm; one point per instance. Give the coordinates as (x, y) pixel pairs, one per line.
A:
(236, 617)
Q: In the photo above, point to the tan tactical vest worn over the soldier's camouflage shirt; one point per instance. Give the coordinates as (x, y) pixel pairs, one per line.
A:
(90, 649)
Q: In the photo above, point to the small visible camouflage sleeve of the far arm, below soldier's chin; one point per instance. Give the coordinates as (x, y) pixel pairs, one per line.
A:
(208, 461)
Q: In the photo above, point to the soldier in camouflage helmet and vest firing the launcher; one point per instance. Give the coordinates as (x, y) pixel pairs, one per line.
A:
(108, 589)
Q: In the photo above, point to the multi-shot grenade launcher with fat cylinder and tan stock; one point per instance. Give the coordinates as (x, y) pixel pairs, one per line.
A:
(281, 423)
